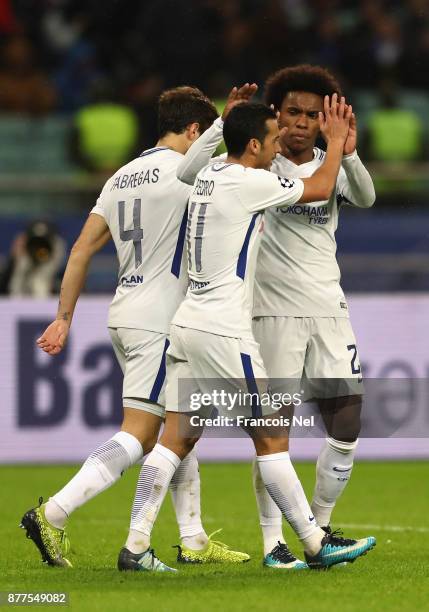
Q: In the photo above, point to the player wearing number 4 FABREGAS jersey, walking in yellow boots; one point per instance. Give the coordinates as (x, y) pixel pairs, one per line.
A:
(143, 208)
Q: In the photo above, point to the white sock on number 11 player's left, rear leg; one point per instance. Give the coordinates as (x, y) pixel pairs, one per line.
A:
(154, 480)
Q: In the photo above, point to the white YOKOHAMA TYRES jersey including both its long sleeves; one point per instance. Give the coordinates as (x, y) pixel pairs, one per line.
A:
(297, 272)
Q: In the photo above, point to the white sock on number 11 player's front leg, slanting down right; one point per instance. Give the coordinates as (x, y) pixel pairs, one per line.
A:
(283, 485)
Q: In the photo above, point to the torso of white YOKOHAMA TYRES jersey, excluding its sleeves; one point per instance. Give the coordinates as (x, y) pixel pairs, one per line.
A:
(297, 273)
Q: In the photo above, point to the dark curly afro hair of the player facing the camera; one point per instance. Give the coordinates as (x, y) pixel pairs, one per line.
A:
(311, 79)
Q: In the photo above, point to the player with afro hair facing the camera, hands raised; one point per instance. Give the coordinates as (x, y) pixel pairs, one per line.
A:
(301, 319)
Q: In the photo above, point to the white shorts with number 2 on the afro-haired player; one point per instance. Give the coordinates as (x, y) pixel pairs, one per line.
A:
(317, 355)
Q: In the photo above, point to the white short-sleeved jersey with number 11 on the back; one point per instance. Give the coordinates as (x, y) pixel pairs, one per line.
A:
(222, 236)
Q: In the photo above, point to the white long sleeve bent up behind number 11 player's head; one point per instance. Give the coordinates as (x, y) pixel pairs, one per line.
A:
(200, 153)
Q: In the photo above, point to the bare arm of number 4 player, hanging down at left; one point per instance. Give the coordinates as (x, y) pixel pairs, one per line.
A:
(95, 234)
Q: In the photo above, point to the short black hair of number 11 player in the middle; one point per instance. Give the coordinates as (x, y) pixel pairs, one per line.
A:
(244, 122)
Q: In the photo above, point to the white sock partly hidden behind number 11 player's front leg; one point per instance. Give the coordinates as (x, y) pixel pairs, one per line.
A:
(270, 516)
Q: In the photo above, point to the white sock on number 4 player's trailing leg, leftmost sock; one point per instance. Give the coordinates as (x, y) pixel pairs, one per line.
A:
(102, 468)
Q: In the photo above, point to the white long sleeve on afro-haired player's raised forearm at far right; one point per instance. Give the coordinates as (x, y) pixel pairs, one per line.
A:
(354, 185)
